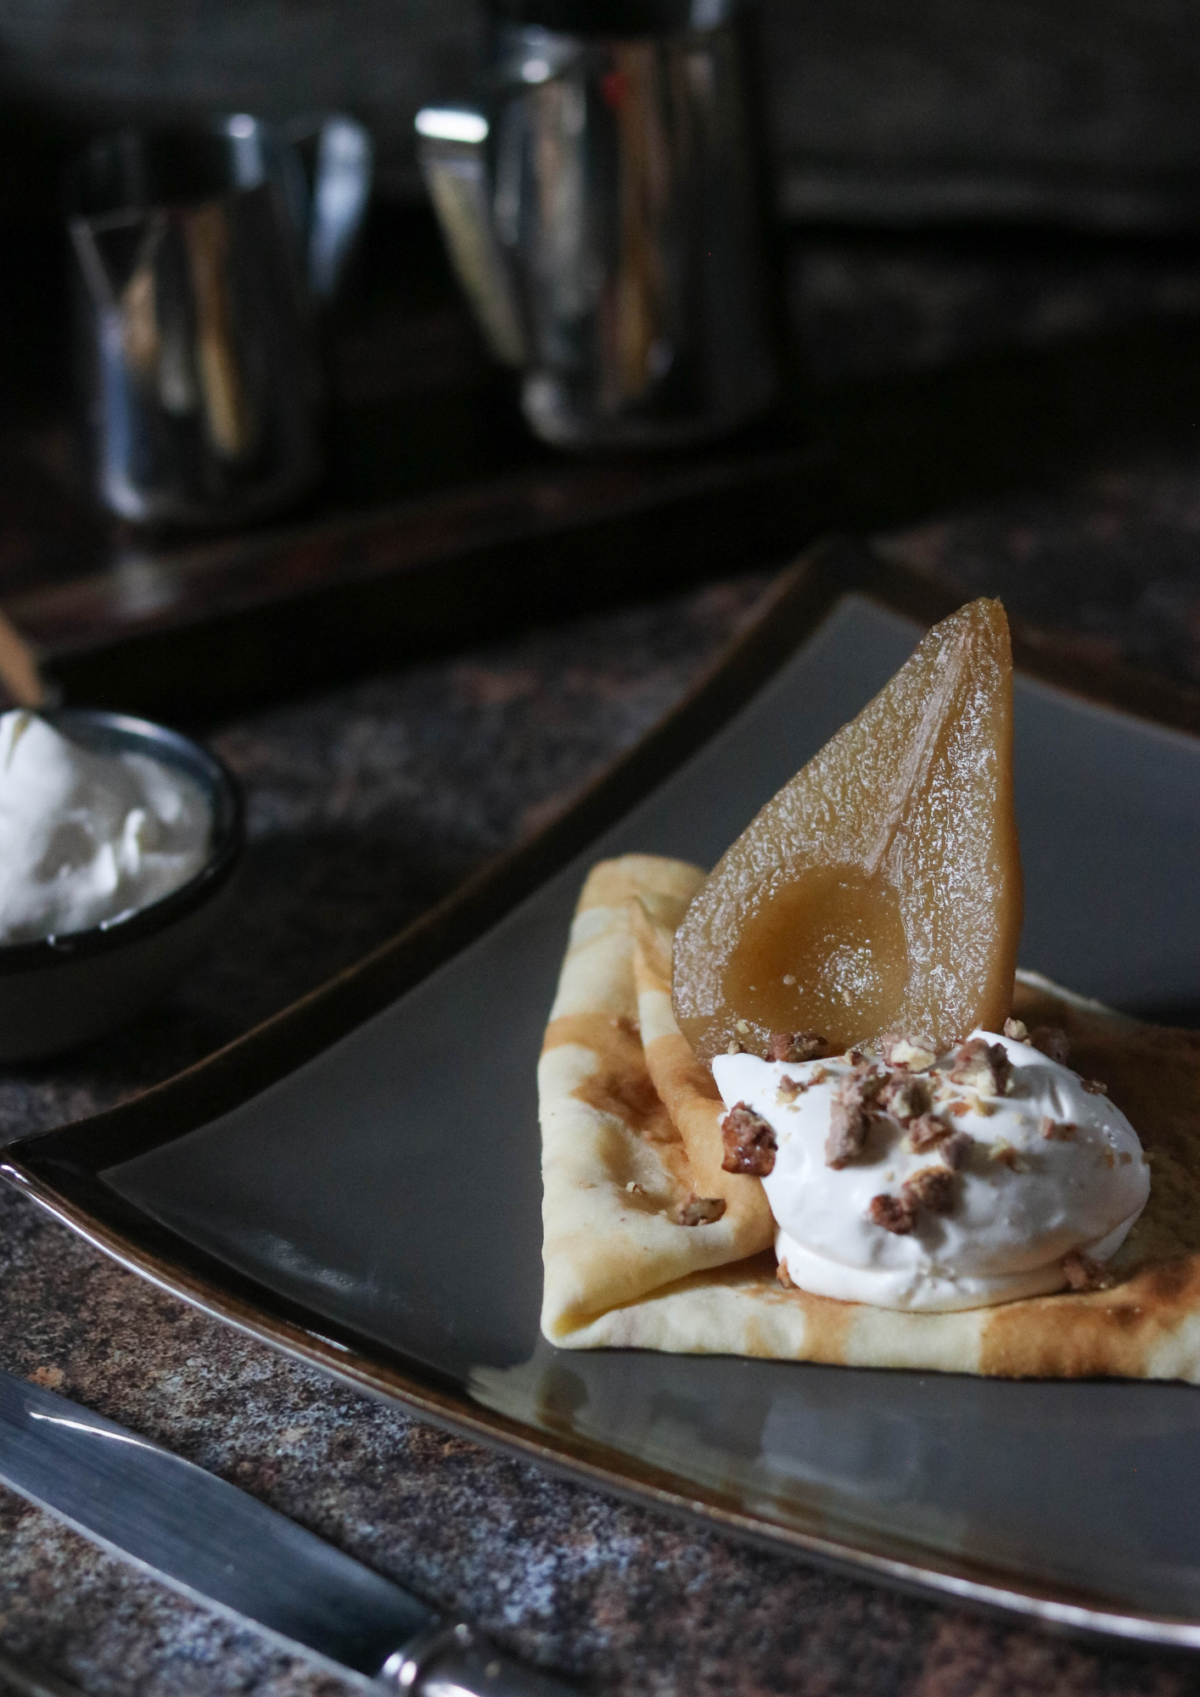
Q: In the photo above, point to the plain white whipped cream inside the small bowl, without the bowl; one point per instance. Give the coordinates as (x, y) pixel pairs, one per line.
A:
(89, 837)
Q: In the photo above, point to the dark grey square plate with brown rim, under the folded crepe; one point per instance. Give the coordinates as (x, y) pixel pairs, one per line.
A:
(357, 1182)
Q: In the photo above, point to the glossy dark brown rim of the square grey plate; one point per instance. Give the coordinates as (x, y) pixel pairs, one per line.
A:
(59, 1170)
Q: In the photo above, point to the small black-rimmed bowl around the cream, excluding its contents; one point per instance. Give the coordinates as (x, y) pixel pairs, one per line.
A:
(62, 992)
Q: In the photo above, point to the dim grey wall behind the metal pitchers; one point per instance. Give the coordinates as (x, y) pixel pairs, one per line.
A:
(1079, 111)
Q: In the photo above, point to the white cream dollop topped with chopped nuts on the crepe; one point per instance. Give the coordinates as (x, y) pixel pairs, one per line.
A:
(938, 1184)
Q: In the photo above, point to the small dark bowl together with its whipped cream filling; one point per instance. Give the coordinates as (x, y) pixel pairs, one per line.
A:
(121, 846)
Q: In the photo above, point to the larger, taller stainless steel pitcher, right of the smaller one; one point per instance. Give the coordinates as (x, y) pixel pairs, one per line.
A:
(603, 215)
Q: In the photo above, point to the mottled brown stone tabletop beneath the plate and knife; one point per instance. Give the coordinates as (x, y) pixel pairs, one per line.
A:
(366, 805)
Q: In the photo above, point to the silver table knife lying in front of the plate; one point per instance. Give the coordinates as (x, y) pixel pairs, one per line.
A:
(216, 1543)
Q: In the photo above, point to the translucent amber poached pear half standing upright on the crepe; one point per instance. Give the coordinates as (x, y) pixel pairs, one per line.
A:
(882, 888)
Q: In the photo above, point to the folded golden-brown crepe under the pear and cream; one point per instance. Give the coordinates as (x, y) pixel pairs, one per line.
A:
(631, 1133)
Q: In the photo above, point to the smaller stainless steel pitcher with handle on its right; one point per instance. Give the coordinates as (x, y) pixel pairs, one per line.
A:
(201, 255)
